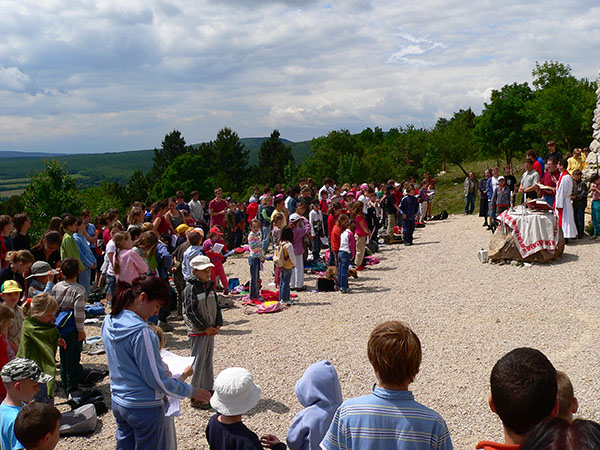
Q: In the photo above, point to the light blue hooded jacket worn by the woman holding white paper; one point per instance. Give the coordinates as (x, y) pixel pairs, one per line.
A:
(138, 378)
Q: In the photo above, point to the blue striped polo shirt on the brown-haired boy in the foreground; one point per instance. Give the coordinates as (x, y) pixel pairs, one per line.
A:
(388, 420)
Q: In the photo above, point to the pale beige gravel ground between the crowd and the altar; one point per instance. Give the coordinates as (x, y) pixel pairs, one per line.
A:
(467, 315)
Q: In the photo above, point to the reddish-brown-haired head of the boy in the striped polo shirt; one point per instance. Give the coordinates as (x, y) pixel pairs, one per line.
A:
(394, 351)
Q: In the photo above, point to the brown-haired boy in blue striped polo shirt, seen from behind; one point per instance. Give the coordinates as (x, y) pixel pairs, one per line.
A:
(389, 417)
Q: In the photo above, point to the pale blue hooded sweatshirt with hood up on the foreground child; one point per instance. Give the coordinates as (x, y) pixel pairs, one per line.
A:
(320, 393)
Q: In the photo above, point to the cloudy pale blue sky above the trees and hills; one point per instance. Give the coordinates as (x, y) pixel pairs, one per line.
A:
(103, 75)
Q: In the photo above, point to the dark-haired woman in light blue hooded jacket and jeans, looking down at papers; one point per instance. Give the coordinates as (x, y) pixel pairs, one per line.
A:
(138, 378)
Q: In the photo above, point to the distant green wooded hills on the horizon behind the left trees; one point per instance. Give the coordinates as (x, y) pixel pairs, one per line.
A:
(90, 169)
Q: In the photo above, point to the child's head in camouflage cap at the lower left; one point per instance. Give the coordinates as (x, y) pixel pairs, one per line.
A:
(21, 377)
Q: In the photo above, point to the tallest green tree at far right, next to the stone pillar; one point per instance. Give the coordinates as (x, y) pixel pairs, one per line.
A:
(562, 105)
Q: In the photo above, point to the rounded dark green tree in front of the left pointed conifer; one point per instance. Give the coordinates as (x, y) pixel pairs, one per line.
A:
(187, 173)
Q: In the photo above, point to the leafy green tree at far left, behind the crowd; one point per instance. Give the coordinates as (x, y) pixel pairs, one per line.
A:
(51, 193)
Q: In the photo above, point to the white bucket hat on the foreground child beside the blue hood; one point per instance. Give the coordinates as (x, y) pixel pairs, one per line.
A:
(235, 392)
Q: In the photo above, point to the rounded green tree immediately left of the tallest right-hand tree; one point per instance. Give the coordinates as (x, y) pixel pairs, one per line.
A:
(503, 124)
